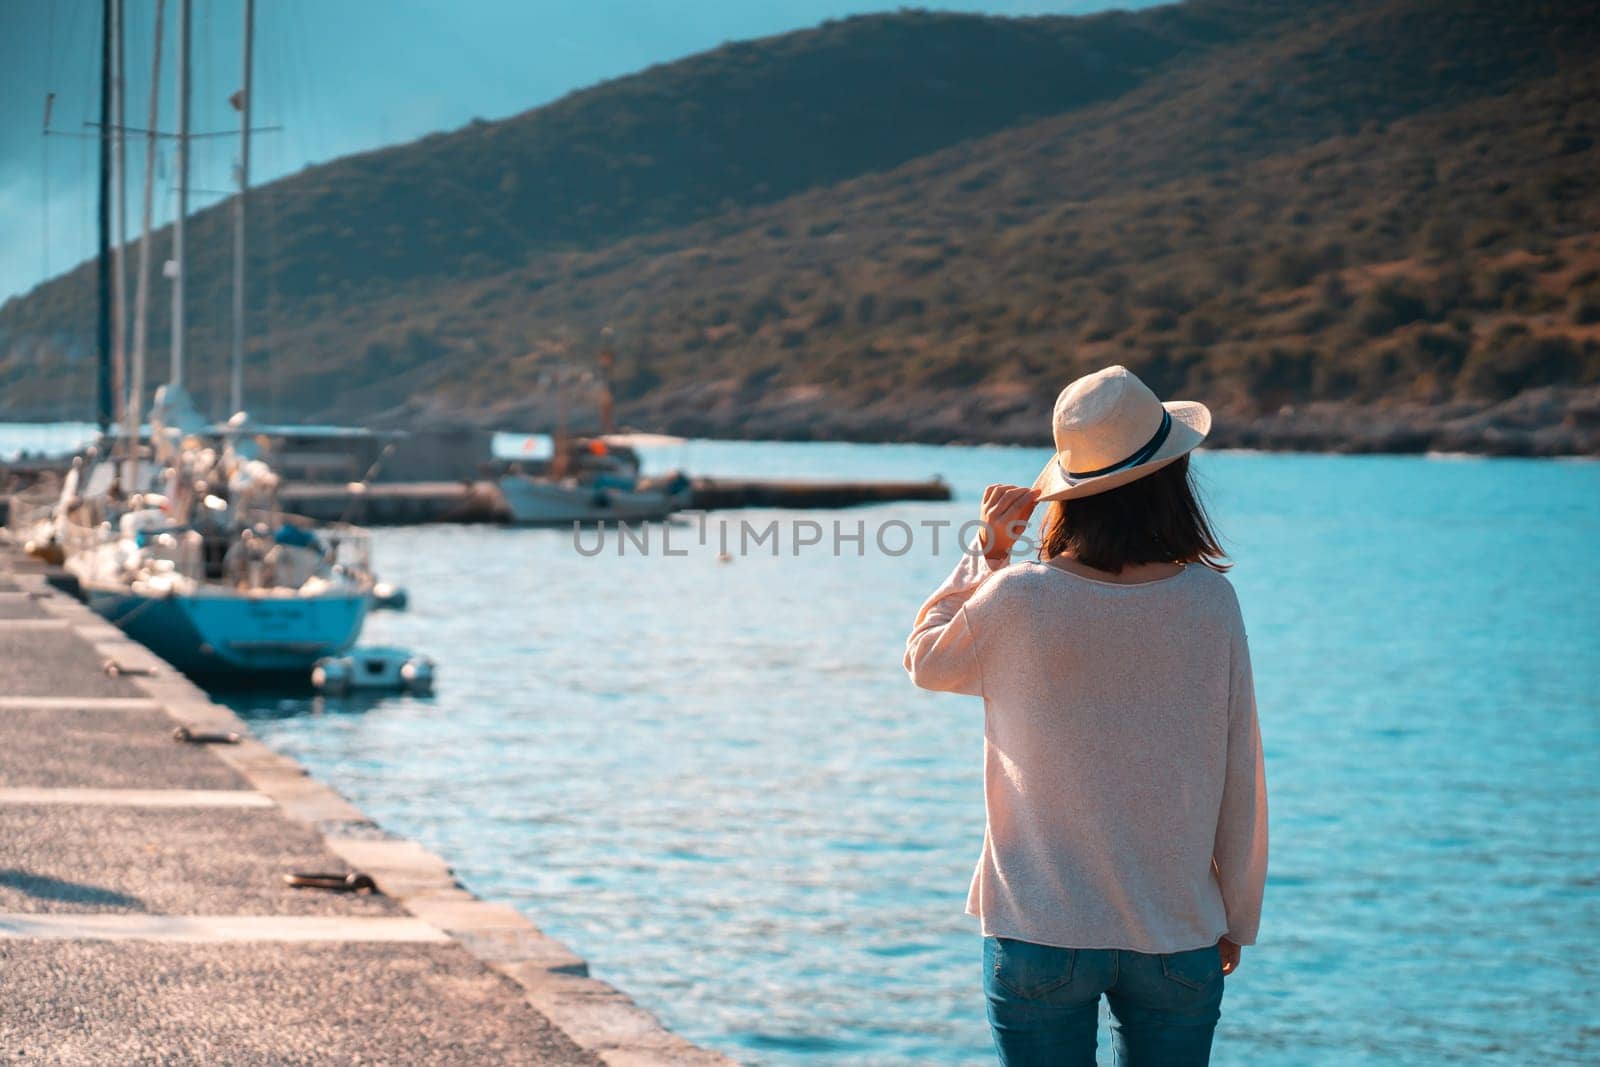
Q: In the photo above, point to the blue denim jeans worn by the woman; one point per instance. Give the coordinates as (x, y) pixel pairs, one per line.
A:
(1044, 1004)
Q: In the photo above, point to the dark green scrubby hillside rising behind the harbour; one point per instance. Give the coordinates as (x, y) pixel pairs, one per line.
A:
(921, 226)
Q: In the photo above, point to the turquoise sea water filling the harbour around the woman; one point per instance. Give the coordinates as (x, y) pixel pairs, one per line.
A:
(713, 780)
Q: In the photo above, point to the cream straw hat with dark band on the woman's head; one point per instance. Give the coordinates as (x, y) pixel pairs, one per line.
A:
(1111, 430)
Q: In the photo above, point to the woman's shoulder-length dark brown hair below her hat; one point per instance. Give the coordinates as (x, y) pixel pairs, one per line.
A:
(1156, 519)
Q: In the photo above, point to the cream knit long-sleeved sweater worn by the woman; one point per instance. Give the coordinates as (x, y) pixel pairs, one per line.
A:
(1127, 802)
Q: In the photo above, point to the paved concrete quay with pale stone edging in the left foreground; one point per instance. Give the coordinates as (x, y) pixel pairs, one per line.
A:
(145, 914)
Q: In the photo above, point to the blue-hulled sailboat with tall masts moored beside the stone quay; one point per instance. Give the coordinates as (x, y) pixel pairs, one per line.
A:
(182, 543)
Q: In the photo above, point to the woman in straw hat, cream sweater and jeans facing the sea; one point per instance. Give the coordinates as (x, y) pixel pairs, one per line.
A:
(1126, 847)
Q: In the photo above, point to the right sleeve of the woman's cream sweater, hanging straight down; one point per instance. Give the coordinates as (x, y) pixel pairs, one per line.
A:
(1241, 852)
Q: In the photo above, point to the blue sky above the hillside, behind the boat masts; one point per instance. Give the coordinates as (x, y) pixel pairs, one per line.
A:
(340, 76)
